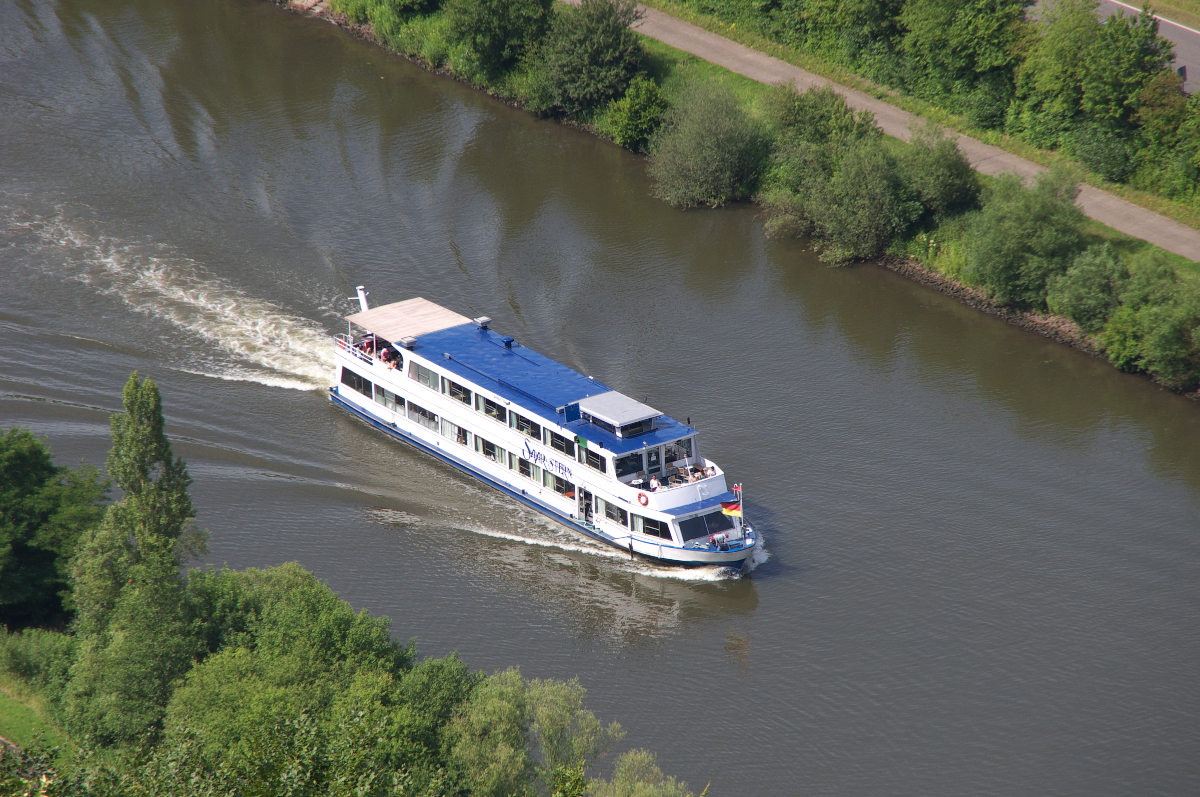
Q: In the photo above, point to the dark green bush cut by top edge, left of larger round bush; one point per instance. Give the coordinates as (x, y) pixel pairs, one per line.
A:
(494, 35)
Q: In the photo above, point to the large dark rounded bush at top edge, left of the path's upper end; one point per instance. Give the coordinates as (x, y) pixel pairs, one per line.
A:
(587, 59)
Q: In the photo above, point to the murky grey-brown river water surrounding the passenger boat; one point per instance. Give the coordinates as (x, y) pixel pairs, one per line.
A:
(982, 548)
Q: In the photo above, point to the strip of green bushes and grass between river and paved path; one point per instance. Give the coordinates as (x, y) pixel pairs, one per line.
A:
(820, 171)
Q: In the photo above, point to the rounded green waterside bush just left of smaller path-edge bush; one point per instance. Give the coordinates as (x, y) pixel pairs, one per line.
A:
(865, 206)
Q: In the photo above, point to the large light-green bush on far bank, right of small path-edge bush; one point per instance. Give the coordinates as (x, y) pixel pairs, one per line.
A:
(1024, 237)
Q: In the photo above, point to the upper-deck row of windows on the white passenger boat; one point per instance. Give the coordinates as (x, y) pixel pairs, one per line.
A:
(646, 463)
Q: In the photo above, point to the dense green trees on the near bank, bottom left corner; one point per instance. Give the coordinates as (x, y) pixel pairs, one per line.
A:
(146, 680)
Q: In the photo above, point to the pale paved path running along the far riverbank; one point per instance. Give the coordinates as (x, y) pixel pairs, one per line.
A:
(1103, 207)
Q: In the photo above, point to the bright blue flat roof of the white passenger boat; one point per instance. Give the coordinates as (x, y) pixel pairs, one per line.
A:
(535, 383)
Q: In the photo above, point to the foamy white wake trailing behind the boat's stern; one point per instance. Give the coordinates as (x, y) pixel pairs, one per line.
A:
(247, 339)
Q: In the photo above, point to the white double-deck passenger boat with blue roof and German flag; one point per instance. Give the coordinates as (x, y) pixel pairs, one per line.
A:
(561, 442)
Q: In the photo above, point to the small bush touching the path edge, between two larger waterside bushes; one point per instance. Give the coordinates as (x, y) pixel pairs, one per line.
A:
(939, 173)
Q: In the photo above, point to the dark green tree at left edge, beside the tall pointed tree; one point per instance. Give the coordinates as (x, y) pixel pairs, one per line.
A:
(44, 511)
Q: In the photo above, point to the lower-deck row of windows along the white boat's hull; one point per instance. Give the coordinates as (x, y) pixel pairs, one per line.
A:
(497, 454)
